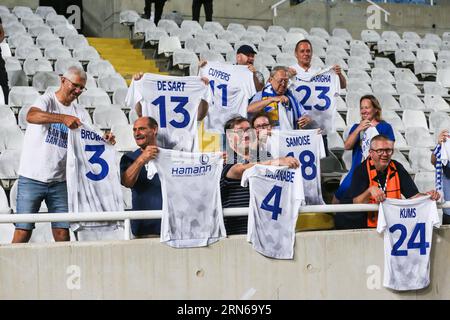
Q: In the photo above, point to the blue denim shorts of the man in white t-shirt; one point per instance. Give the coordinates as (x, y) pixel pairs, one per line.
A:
(31, 193)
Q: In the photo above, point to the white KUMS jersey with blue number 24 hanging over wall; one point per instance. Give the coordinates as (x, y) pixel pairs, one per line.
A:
(408, 230)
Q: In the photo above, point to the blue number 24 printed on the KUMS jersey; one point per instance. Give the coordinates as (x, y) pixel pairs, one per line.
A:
(419, 230)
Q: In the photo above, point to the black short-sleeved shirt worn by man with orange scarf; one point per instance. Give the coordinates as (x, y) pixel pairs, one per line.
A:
(360, 181)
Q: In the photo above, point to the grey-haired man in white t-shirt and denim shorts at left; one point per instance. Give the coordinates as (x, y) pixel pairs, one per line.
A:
(42, 171)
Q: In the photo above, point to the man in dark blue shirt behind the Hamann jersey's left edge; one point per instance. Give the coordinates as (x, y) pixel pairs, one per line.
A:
(146, 194)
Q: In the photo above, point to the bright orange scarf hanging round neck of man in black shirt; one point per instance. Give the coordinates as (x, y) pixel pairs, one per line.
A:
(391, 190)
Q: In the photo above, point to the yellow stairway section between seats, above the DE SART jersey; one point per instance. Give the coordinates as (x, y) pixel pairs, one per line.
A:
(125, 59)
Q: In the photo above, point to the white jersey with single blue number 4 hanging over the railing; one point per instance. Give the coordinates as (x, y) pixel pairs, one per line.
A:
(276, 194)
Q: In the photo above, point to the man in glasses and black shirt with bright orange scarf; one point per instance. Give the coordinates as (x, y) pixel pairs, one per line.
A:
(378, 178)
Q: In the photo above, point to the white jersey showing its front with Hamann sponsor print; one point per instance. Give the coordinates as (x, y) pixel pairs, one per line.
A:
(192, 207)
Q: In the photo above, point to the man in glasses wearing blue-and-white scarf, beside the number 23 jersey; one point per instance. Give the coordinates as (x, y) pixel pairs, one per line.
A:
(284, 110)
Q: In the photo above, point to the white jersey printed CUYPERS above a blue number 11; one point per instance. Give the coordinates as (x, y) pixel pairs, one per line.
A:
(232, 87)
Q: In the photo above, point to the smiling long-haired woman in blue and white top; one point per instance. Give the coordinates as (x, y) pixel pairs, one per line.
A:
(359, 138)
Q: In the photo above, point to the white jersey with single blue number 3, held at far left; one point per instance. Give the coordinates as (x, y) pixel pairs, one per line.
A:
(93, 176)
